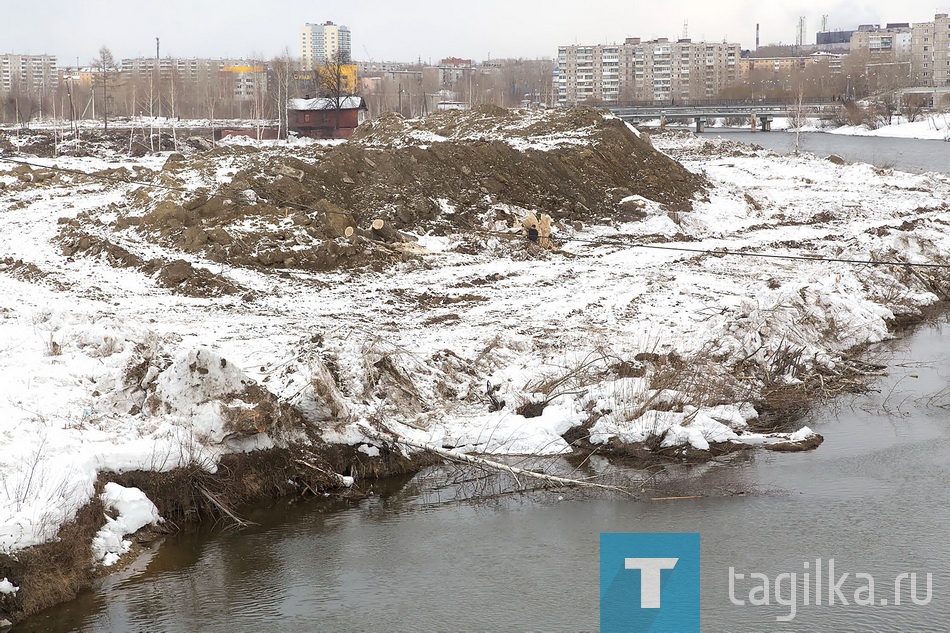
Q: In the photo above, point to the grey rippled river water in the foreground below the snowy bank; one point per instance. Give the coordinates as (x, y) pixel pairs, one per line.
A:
(417, 557)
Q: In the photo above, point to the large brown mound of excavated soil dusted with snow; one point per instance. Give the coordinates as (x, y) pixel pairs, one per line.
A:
(353, 205)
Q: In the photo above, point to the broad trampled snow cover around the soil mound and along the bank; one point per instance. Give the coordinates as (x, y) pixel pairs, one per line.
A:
(71, 333)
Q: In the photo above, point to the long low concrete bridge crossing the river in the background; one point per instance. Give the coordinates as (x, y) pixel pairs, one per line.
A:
(760, 115)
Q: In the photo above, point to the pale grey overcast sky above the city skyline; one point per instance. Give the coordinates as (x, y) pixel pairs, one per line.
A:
(391, 30)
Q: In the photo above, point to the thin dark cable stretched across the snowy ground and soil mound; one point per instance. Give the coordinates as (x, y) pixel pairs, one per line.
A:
(719, 252)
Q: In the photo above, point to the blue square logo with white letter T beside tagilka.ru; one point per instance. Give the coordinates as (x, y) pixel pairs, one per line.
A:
(649, 583)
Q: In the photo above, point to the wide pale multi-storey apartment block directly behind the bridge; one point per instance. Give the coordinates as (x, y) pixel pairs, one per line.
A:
(658, 70)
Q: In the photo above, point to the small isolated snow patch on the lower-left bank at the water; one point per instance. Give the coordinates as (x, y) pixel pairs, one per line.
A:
(134, 511)
